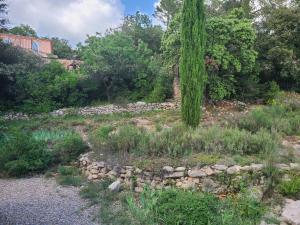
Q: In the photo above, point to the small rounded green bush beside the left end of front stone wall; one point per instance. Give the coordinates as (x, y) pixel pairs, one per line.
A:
(69, 149)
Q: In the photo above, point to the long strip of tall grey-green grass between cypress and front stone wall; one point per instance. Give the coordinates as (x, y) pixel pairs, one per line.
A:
(180, 141)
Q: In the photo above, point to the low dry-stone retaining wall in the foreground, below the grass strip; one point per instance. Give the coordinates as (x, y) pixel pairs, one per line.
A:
(181, 176)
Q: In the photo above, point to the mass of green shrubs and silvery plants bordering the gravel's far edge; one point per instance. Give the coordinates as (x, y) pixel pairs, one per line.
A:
(24, 153)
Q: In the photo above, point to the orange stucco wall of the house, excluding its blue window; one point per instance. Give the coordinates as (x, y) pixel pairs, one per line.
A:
(45, 46)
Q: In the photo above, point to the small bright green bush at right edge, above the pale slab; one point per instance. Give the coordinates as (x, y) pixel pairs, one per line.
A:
(290, 188)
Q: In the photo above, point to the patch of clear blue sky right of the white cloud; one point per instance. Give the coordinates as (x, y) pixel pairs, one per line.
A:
(145, 6)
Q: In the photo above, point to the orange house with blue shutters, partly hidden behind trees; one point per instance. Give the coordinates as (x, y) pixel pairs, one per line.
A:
(41, 46)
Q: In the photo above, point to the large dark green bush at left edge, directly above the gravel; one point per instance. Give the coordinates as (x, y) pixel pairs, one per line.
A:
(21, 154)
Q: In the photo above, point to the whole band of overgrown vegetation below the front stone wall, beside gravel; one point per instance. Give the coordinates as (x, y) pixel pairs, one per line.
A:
(172, 206)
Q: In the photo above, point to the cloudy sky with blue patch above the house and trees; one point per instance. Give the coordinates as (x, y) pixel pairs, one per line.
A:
(74, 19)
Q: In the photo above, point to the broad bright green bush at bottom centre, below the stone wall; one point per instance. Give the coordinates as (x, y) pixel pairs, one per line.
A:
(175, 206)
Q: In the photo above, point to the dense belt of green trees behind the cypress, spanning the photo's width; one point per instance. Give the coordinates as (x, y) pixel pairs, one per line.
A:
(250, 54)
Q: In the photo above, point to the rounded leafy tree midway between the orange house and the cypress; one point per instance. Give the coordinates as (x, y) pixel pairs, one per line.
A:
(117, 66)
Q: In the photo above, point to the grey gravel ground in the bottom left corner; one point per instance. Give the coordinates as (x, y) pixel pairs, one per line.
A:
(40, 201)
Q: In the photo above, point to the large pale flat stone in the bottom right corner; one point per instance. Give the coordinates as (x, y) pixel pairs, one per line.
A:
(291, 212)
